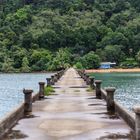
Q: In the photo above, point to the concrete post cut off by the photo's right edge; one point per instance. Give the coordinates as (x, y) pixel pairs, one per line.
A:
(137, 122)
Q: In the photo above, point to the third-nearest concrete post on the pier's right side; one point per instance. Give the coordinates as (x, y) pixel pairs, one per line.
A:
(98, 88)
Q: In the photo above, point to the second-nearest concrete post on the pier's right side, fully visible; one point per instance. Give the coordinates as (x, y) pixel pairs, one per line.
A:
(110, 99)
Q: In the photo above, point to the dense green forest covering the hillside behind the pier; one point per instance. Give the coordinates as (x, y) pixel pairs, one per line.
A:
(38, 35)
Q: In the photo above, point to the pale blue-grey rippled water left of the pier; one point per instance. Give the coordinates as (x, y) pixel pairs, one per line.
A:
(11, 87)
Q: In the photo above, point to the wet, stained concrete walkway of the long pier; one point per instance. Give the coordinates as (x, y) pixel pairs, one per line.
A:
(71, 114)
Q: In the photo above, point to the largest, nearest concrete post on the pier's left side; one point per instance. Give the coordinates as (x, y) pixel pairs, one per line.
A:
(27, 101)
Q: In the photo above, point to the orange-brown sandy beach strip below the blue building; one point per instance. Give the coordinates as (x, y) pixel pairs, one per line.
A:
(112, 70)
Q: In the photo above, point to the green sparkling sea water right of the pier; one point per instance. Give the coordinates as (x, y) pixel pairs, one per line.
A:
(127, 84)
